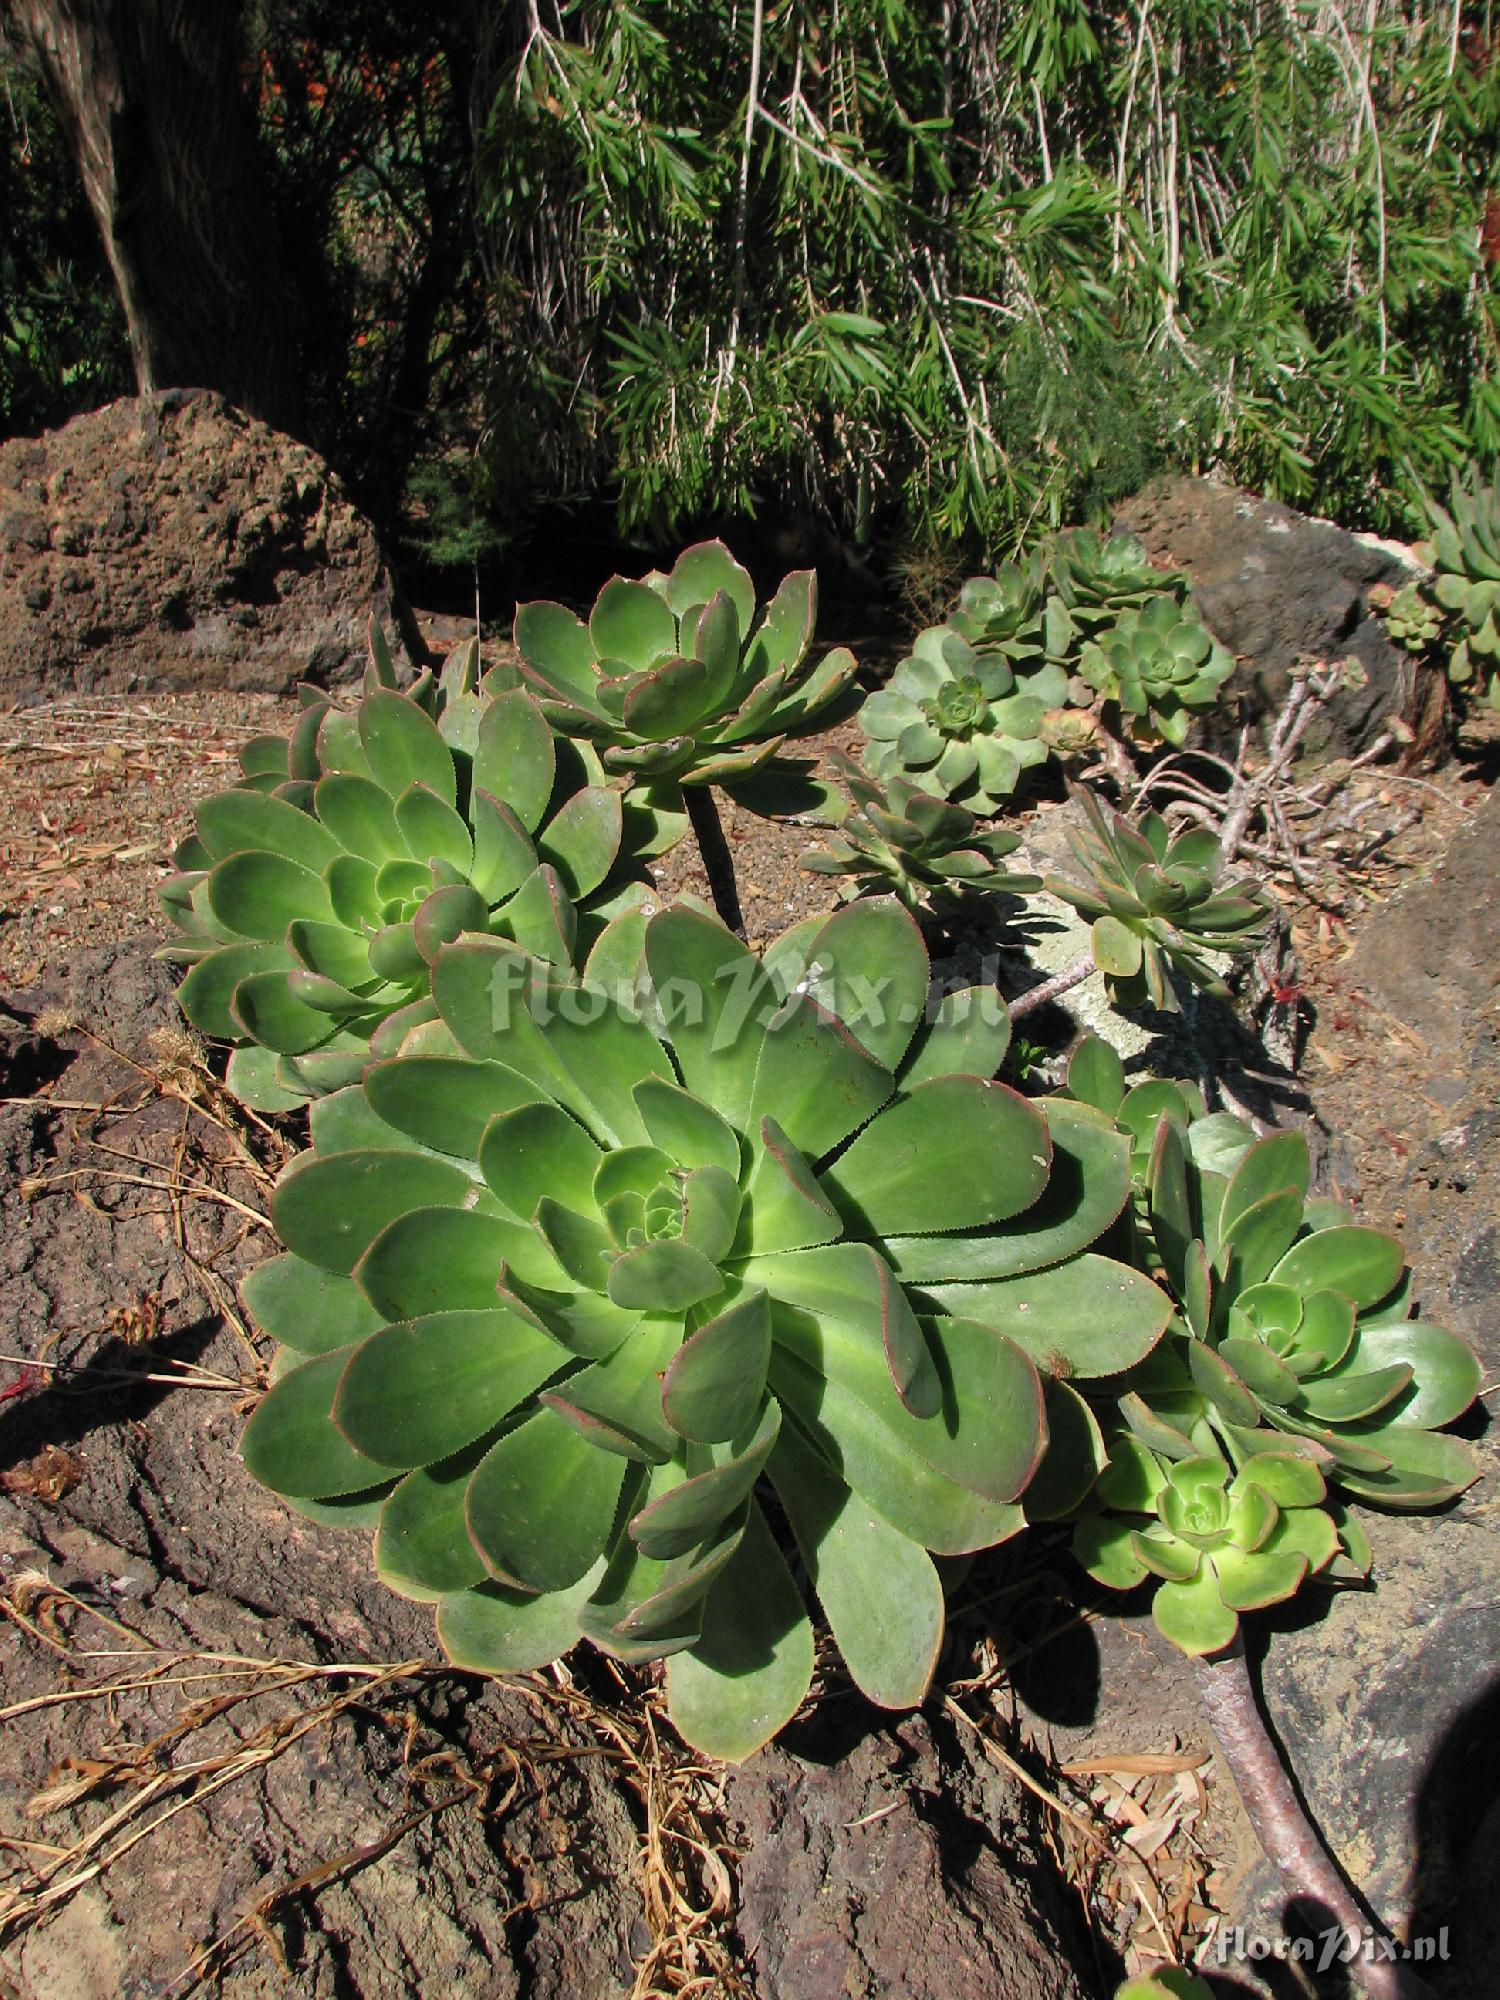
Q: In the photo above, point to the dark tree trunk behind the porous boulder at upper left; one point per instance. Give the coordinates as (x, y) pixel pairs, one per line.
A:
(153, 103)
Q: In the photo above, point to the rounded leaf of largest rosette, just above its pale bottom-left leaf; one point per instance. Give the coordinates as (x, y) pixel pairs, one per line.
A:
(541, 1505)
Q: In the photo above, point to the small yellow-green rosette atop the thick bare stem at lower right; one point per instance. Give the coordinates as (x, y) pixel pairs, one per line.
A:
(1219, 1541)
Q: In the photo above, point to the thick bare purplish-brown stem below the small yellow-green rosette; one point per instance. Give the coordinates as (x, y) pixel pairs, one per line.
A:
(1287, 1835)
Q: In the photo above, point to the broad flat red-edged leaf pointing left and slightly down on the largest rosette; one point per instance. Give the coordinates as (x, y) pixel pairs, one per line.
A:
(423, 1391)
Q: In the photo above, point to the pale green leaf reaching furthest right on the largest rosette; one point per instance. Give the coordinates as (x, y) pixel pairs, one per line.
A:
(1087, 1319)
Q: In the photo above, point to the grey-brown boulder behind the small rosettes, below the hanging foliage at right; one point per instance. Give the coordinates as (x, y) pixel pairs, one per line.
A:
(1277, 589)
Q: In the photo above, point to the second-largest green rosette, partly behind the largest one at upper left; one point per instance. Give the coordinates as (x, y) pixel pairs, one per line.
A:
(315, 895)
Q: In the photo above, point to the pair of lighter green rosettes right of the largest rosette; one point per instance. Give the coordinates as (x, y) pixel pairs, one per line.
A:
(1293, 1373)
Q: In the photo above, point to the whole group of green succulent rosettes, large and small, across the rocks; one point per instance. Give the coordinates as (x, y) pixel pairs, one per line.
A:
(645, 1291)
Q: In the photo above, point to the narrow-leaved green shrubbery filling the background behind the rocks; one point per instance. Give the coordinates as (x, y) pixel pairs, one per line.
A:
(921, 277)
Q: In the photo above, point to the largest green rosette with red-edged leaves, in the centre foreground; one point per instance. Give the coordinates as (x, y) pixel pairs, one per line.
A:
(593, 1309)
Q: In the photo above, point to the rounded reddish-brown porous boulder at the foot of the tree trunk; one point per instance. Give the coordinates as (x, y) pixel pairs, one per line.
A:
(175, 543)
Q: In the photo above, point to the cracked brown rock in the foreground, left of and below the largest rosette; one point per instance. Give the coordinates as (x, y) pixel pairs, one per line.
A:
(875, 1857)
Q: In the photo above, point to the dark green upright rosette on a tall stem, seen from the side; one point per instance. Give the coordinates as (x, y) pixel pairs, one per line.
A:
(679, 677)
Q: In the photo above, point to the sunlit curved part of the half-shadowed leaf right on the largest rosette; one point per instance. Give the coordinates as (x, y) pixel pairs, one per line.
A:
(1087, 1189)
